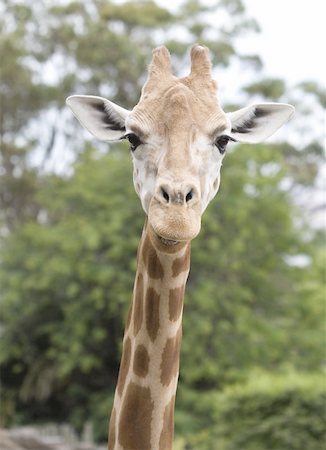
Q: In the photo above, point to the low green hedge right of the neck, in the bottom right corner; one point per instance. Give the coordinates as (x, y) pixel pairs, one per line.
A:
(266, 411)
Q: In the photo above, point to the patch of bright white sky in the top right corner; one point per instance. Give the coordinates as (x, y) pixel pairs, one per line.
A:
(292, 38)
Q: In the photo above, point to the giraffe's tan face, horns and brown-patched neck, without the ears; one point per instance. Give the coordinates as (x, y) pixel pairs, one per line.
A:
(178, 112)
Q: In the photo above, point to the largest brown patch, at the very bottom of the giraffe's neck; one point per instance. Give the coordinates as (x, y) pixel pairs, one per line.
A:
(136, 416)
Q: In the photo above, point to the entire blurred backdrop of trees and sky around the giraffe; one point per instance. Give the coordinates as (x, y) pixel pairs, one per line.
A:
(253, 355)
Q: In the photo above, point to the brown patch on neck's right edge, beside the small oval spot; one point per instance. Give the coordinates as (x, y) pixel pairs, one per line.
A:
(170, 358)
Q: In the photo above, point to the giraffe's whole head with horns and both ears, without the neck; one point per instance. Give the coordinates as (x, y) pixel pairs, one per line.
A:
(178, 135)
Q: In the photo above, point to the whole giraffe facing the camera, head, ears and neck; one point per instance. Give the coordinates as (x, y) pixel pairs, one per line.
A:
(178, 135)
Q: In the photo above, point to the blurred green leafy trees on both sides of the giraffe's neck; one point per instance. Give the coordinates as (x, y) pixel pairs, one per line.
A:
(67, 281)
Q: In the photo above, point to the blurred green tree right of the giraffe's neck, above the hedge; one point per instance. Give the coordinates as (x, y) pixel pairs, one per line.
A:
(242, 286)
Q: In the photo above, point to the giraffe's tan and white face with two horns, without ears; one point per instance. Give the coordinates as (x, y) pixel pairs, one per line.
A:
(179, 113)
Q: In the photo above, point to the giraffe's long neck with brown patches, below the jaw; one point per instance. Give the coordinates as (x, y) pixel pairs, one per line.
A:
(143, 412)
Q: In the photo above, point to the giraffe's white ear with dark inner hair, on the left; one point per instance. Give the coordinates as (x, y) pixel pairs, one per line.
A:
(104, 119)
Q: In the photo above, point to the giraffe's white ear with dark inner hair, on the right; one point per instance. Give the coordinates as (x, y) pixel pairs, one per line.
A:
(257, 122)
